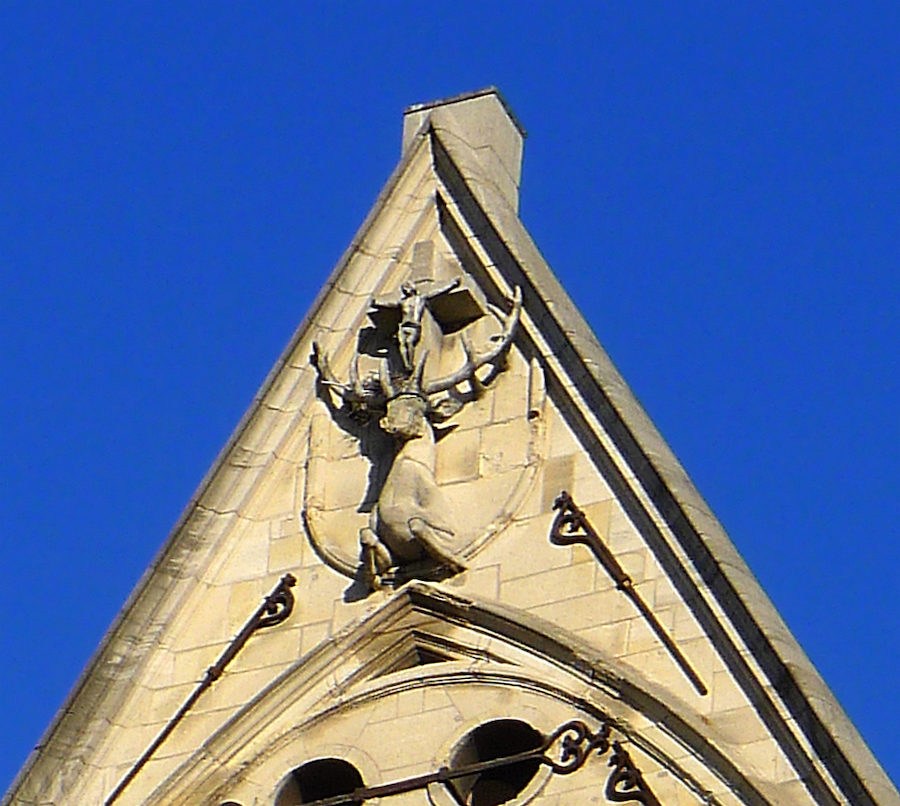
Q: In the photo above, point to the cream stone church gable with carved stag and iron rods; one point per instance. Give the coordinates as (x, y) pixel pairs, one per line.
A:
(446, 559)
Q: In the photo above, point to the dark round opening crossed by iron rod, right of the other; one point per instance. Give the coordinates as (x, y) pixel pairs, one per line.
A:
(492, 740)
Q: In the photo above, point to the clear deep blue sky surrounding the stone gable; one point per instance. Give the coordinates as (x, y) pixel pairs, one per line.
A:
(716, 184)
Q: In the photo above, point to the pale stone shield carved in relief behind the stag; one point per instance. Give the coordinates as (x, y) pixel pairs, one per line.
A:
(485, 459)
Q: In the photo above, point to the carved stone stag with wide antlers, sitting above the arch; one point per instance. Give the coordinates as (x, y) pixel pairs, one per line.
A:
(410, 529)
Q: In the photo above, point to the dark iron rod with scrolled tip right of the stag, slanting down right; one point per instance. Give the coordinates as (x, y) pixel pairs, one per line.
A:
(569, 521)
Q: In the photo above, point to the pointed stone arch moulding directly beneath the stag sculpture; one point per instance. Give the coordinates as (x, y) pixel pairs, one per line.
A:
(343, 673)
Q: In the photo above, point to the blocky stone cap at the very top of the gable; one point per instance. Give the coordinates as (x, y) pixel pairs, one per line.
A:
(485, 125)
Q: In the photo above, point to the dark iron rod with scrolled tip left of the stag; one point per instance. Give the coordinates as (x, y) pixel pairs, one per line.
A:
(275, 608)
